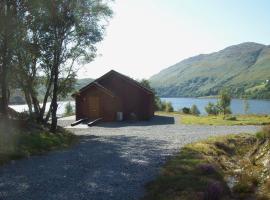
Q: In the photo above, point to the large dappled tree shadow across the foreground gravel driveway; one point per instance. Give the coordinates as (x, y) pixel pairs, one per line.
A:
(97, 168)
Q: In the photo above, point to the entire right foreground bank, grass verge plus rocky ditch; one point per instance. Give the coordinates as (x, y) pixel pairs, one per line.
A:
(204, 170)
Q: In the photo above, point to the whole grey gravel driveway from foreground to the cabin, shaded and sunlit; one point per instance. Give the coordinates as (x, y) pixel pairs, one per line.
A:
(112, 161)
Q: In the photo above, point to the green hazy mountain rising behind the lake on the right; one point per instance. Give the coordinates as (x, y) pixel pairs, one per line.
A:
(243, 68)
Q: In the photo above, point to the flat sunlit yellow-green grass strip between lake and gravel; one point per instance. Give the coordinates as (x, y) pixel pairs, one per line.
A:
(218, 120)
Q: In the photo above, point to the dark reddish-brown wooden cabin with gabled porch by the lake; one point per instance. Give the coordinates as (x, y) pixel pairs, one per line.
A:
(113, 97)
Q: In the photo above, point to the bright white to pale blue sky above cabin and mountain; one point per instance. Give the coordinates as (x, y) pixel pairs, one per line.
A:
(146, 36)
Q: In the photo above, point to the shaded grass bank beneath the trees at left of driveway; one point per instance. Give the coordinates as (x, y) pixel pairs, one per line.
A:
(19, 139)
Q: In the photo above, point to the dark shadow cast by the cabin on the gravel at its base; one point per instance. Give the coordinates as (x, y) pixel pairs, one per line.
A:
(156, 120)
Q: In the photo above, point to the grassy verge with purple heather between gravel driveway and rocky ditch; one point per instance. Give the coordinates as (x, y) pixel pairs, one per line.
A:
(195, 173)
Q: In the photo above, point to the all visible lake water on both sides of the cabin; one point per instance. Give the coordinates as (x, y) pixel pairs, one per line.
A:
(237, 105)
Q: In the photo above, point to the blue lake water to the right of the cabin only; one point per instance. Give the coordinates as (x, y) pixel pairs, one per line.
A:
(237, 105)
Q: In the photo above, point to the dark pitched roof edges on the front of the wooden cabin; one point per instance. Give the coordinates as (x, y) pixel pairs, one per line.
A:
(124, 77)
